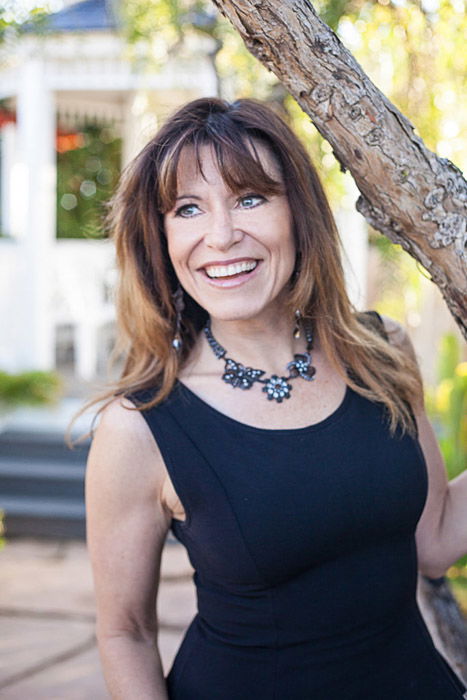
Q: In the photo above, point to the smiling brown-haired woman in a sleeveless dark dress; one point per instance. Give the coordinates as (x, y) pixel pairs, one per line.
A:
(278, 433)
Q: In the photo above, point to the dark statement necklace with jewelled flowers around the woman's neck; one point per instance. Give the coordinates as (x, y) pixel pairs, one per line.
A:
(276, 388)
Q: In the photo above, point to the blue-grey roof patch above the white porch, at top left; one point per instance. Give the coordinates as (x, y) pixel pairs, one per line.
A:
(88, 15)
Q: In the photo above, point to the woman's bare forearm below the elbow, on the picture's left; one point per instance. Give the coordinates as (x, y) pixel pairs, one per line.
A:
(132, 668)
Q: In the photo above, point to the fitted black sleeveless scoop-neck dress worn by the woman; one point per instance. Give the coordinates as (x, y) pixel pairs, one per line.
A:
(302, 542)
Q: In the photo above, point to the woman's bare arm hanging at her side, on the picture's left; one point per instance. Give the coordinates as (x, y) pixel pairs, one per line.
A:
(126, 529)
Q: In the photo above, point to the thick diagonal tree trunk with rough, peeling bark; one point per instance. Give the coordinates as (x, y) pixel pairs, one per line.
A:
(411, 195)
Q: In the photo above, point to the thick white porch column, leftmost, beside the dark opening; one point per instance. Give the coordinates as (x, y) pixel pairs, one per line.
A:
(34, 195)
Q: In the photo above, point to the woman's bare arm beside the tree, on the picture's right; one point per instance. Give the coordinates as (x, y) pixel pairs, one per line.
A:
(442, 529)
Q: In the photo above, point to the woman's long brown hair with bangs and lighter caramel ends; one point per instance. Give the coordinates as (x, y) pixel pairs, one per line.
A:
(145, 304)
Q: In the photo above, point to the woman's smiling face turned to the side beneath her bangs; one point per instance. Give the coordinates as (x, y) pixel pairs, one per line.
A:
(234, 253)
